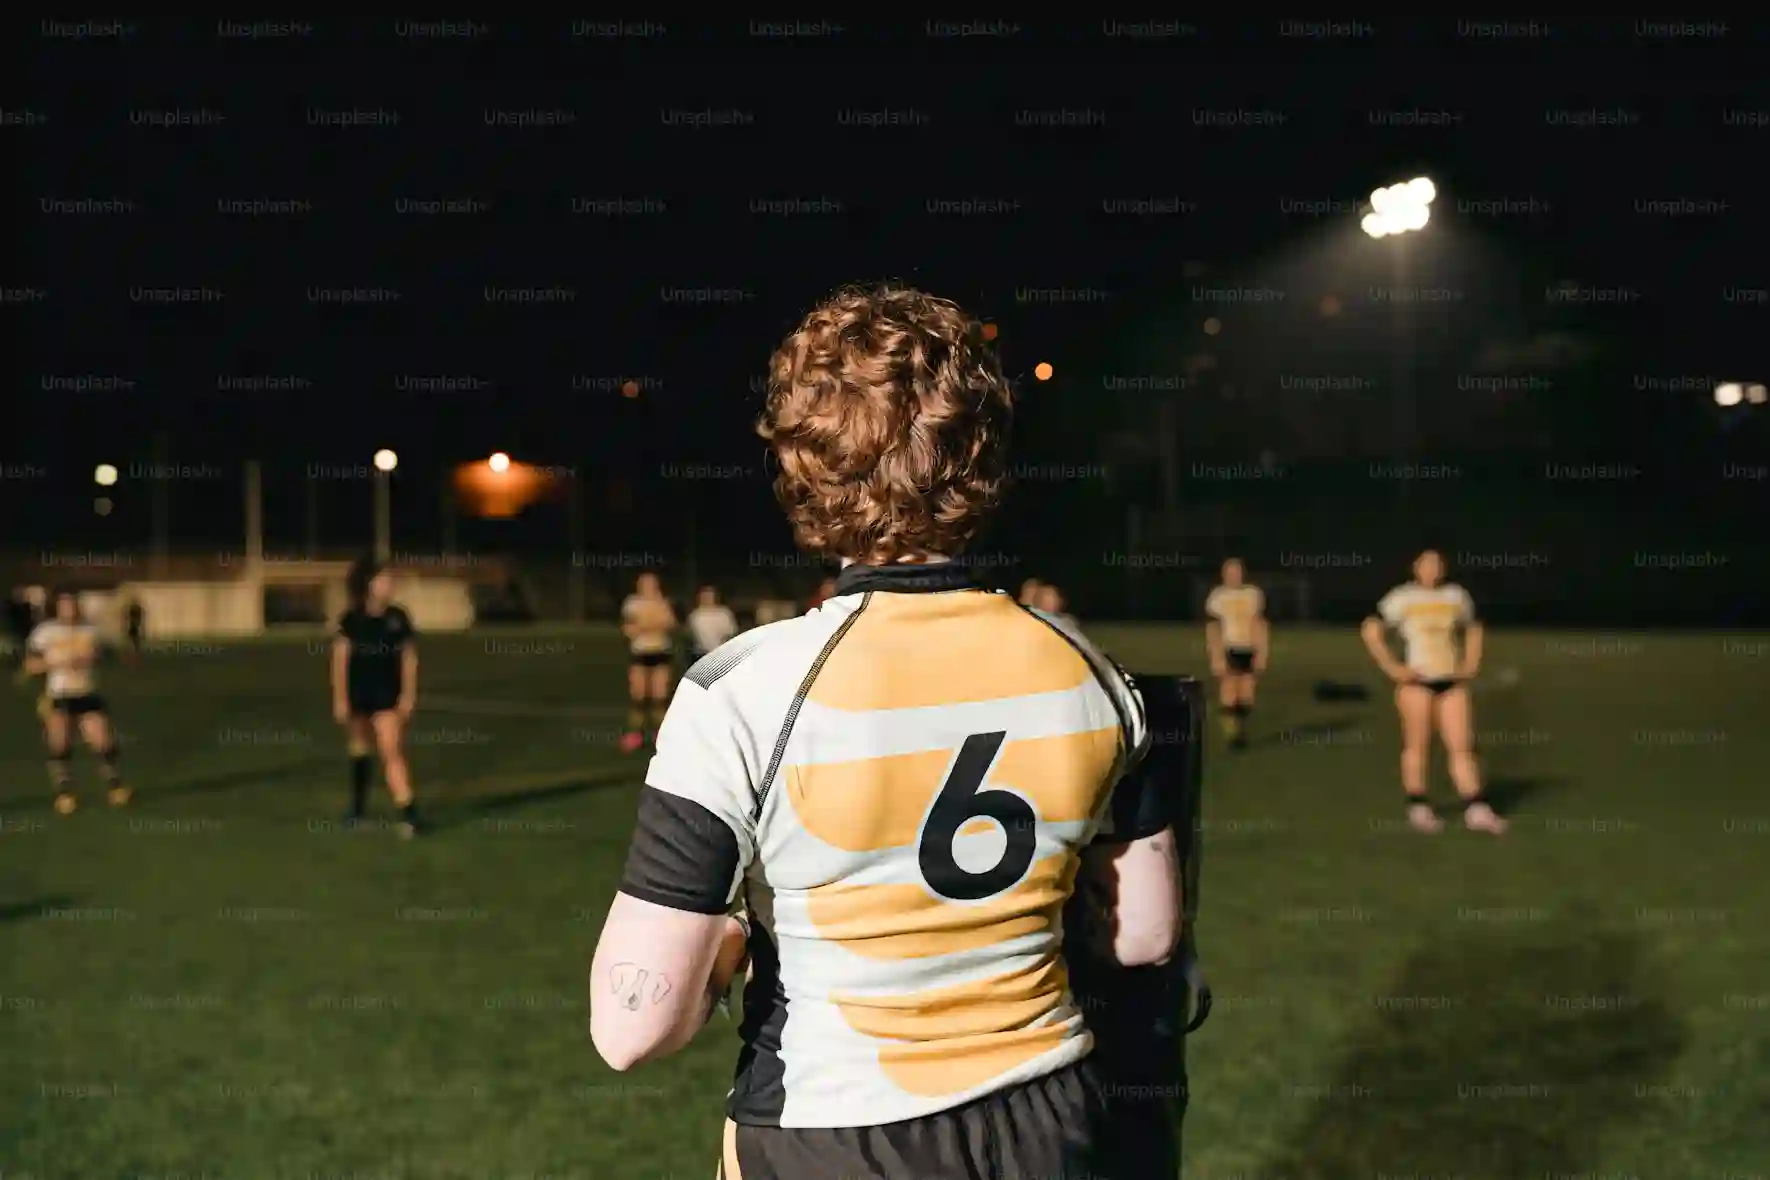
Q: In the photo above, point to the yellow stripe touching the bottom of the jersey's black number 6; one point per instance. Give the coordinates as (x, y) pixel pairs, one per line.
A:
(909, 923)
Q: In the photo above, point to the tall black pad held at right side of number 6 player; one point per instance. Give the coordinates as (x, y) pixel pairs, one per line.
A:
(1141, 1016)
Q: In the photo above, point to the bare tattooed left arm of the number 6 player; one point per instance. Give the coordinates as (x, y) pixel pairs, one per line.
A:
(656, 977)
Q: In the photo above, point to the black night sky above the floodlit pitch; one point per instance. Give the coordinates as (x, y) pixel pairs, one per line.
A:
(689, 286)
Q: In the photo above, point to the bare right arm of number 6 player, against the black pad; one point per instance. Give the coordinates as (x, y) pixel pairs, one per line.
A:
(1139, 889)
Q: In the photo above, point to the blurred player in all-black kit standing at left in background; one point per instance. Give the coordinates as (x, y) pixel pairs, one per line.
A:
(374, 678)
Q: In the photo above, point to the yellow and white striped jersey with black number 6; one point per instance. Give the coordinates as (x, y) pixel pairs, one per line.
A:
(898, 786)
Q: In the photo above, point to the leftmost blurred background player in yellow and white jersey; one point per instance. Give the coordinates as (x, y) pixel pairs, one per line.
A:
(65, 650)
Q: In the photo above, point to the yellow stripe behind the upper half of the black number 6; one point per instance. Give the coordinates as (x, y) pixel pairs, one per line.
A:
(875, 804)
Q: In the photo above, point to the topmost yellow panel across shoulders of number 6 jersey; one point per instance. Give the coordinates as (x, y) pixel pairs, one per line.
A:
(969, 648)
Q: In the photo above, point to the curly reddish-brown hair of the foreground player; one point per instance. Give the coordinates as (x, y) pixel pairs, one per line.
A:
(889, 420)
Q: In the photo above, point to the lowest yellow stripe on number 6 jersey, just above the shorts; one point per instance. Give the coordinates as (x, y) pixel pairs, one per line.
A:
(953, 1039)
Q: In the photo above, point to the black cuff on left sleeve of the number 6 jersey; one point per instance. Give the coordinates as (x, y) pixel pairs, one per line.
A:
(684, 857)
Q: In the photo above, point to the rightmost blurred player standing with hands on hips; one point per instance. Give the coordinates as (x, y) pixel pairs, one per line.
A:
(1442, 654)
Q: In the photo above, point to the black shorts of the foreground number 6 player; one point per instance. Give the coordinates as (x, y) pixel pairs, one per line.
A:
(1052, 1128)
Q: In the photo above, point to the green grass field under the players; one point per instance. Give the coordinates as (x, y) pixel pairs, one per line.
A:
(219, 983)
